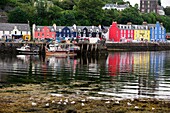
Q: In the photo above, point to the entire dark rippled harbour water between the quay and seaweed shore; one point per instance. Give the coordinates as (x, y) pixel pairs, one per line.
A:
(119, 75)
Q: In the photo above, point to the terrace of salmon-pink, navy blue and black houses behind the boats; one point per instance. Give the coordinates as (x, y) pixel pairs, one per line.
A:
(68, 32)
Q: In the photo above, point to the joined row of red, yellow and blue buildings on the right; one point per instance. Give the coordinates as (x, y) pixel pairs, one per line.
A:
(146, 32)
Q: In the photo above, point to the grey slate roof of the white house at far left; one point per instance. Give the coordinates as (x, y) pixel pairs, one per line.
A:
(10, 26)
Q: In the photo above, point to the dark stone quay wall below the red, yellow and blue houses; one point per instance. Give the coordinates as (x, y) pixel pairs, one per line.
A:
(138, 46)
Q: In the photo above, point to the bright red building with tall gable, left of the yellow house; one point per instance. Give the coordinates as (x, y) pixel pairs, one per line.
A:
(121, 33)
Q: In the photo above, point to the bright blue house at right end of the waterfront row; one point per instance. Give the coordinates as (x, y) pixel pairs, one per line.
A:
(157, 32)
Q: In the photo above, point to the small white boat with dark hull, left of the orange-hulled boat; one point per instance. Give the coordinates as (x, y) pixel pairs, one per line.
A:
(26, 49)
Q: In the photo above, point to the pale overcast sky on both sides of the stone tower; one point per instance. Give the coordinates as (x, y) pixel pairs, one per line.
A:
(164, 2)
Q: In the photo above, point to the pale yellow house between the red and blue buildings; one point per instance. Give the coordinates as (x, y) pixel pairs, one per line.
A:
(142, 33)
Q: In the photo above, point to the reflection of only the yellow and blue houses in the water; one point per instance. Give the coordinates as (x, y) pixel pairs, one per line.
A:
(148, 66)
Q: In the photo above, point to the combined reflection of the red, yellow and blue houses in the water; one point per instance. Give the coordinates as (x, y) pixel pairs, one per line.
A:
(144, 67)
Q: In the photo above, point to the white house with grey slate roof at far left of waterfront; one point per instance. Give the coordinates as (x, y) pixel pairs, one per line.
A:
(13, 31)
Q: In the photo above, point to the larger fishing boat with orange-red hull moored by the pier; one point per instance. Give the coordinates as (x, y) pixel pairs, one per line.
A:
(61, 50)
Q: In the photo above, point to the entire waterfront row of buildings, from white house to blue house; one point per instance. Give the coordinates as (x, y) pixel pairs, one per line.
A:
(116, 32)
